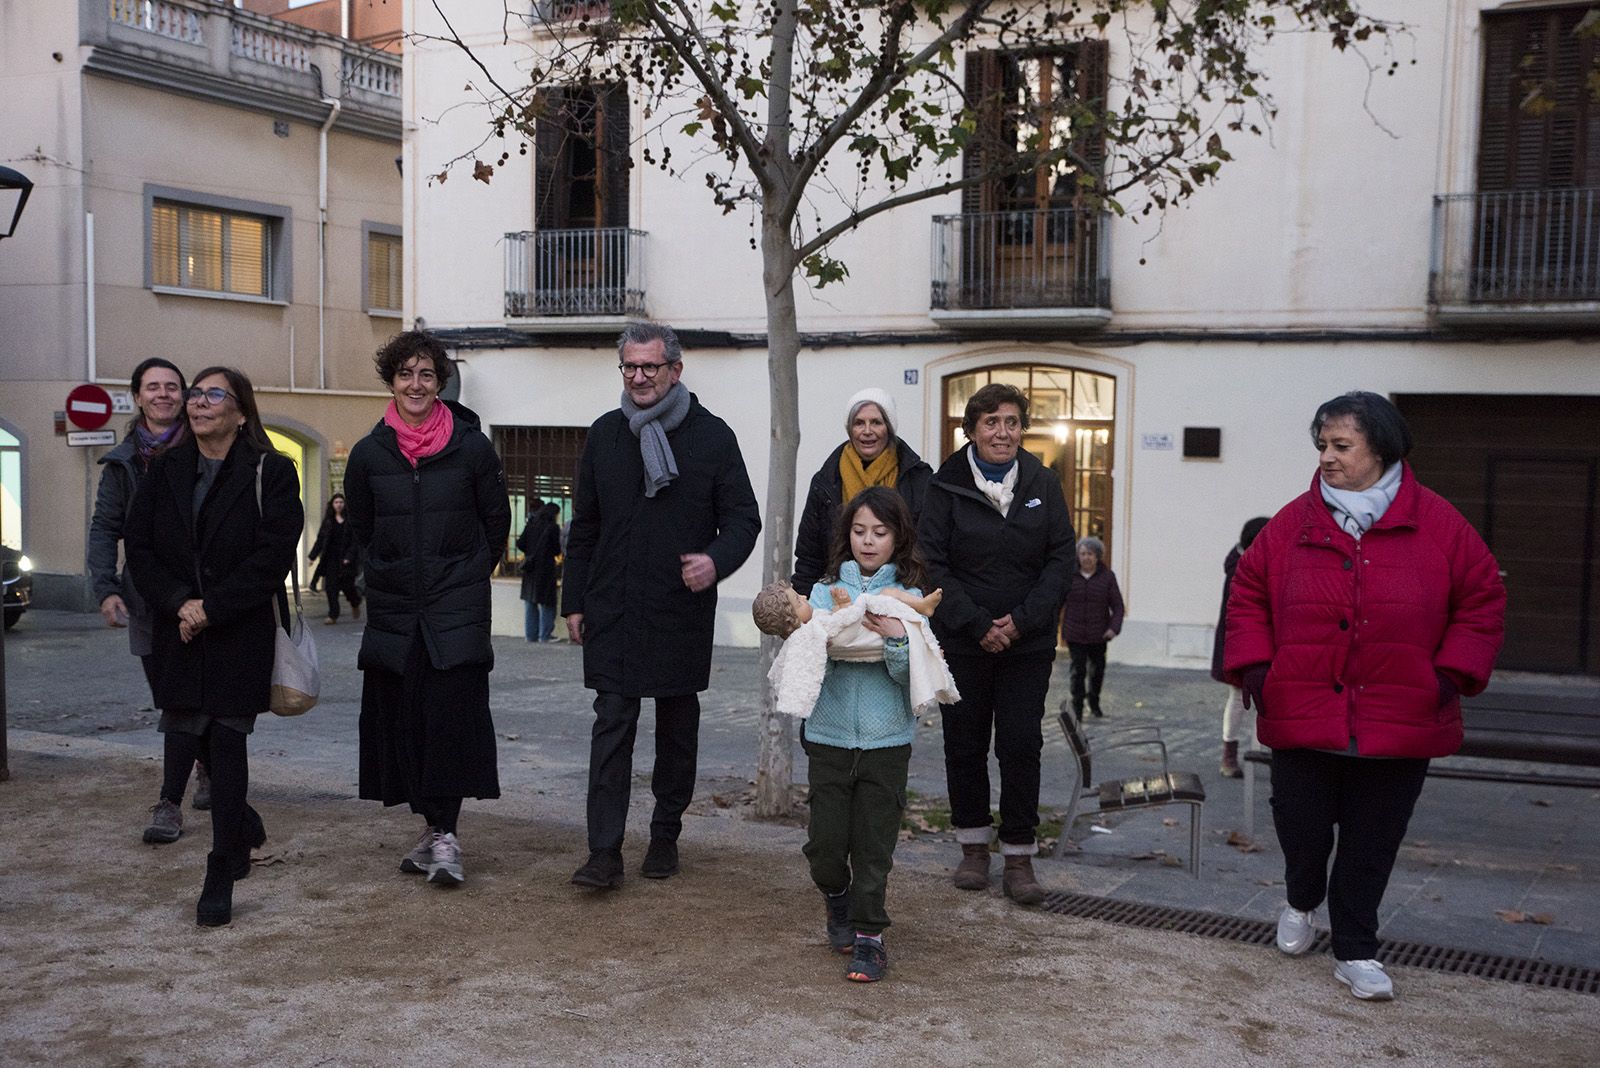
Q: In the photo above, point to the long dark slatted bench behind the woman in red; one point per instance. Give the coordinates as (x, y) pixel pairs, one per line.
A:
(1503, 727)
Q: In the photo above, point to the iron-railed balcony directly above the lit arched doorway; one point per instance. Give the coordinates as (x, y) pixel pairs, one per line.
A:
(1023, 269)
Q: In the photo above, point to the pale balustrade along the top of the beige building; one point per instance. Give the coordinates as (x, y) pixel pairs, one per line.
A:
(215, 50)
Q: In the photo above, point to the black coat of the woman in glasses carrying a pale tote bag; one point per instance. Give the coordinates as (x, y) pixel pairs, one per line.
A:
(233, 557)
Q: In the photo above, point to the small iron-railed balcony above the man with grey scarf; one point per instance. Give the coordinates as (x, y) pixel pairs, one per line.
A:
(591, 277)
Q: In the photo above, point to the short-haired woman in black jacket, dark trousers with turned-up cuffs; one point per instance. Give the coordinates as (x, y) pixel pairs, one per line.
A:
(999, 541)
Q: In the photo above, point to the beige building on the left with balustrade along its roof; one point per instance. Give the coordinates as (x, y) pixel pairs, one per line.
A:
(215, 188)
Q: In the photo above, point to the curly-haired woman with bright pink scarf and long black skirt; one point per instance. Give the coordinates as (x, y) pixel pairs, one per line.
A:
(430, 514)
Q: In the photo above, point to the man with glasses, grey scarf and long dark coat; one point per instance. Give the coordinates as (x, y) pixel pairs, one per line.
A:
(663, 512)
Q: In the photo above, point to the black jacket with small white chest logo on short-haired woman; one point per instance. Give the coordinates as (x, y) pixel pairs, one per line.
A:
(991, 565)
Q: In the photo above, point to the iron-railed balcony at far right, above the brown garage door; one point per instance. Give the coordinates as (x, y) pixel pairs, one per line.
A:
(1518, 258)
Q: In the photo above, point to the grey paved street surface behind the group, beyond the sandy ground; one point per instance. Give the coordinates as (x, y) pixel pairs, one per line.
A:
(1474, 850)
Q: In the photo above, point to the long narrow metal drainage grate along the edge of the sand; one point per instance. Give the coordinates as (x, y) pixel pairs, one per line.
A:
(1434, 958)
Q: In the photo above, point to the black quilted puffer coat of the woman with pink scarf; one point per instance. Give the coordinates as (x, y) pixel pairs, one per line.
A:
(430, 540)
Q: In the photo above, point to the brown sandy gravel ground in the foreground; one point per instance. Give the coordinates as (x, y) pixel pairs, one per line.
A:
(335, 958)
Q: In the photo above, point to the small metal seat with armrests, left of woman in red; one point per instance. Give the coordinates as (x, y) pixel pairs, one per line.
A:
(1138, 792)
